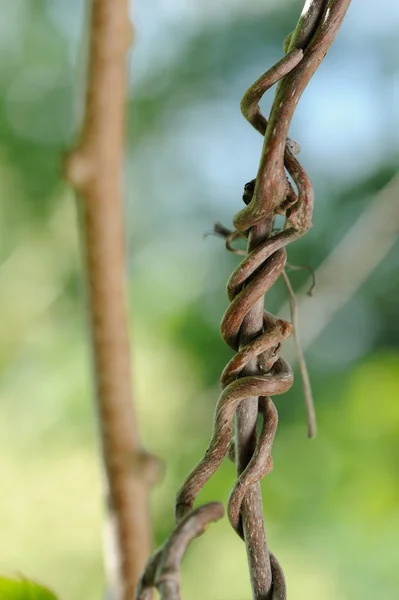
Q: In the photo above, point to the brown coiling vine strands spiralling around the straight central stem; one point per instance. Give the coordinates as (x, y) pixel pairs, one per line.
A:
(248, 284)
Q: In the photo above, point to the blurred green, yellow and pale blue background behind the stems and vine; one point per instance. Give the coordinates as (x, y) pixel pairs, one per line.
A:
(331, 504)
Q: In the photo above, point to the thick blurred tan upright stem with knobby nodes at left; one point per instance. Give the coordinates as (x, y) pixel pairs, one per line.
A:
(94, 169)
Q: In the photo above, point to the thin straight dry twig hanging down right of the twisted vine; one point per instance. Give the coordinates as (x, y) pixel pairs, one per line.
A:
(307, 388)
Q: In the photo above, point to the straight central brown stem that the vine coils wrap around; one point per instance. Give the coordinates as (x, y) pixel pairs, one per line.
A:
(315, 35)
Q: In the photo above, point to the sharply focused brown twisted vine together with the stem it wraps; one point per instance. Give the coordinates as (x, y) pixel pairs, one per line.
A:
(257, 371)
